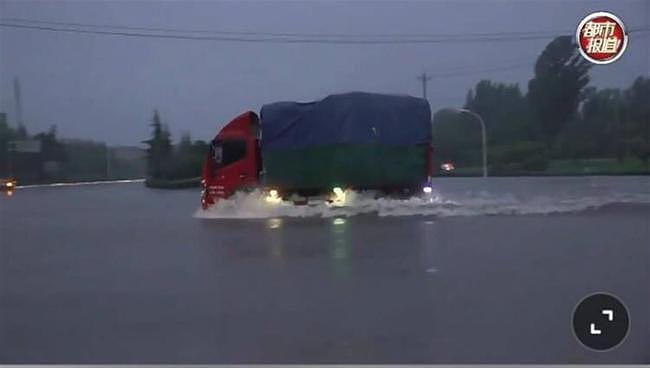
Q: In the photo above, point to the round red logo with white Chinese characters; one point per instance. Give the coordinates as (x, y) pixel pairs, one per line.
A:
(601, 37)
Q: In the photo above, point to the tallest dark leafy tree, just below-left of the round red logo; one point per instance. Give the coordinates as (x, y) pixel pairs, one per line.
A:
(561, 74)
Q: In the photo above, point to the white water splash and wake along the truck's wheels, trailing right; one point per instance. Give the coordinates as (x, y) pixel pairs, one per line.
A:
(252, 205)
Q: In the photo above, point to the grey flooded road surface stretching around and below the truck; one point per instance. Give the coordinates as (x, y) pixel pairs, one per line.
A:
(119, 273)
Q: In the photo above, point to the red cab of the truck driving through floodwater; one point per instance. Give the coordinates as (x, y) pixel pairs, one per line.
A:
(234, 161)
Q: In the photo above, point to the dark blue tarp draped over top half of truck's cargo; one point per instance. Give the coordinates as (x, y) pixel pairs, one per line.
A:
(349, 118)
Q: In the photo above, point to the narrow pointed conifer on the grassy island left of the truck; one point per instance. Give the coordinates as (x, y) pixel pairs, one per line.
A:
(160, 148)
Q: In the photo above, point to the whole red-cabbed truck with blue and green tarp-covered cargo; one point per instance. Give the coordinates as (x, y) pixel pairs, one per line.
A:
(358, 140)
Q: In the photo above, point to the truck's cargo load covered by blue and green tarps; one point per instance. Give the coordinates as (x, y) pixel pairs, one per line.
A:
(358, 140)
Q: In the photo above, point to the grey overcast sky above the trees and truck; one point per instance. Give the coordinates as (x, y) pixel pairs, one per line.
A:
(106, 87)
